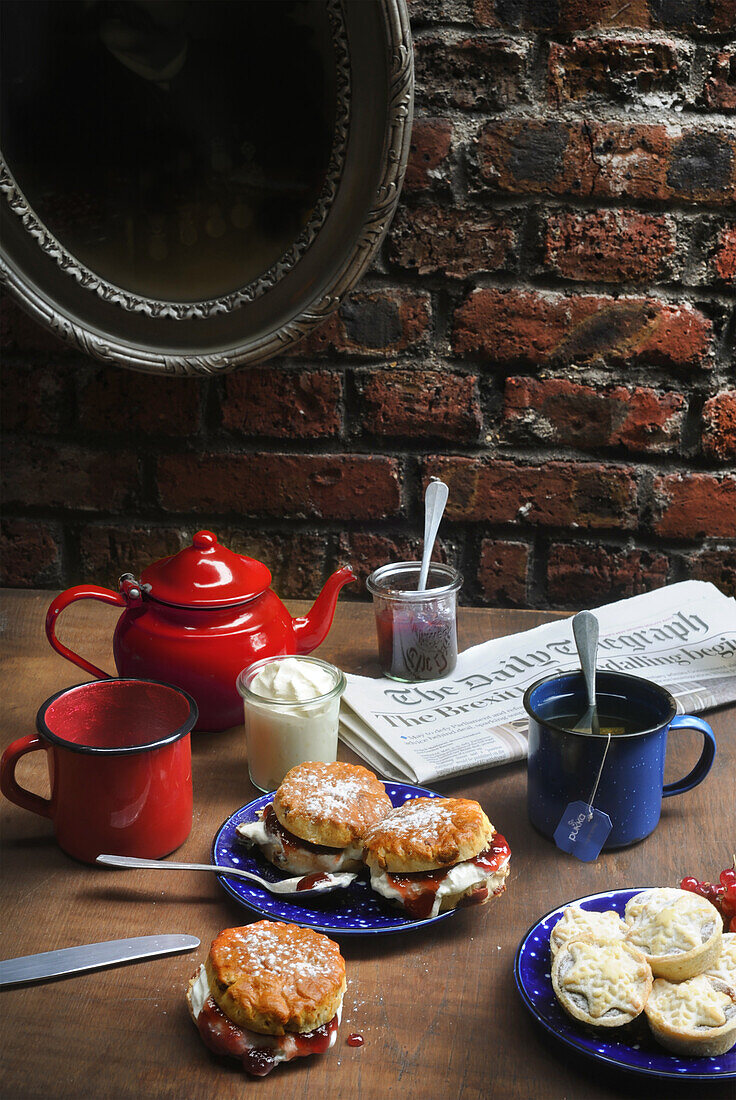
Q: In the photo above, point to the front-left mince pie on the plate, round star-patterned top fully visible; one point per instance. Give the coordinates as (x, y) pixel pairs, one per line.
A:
(601, 984)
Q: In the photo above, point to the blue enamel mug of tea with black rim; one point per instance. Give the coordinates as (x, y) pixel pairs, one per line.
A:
(563, 766)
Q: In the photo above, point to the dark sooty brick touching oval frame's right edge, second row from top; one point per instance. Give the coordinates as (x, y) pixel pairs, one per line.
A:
(476, 74)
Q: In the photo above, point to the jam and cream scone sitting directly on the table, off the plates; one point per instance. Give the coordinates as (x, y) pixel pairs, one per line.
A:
(269, 993)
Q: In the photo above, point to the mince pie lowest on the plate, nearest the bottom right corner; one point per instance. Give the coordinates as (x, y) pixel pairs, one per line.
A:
(693, 1017)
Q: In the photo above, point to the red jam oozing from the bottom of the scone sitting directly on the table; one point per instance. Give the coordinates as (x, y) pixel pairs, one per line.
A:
(223, 1037)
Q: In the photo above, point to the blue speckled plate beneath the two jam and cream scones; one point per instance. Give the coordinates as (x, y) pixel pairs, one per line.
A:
(351, 912)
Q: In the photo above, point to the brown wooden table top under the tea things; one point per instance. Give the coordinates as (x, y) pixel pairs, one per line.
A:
(438, 1007)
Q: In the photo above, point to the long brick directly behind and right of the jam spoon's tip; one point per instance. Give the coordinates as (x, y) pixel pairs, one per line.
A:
(554, 494)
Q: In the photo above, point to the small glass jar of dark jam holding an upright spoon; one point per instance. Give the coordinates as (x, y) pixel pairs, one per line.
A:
(418, 631)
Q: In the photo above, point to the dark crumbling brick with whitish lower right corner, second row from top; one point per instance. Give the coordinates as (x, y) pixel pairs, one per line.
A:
(625, 70)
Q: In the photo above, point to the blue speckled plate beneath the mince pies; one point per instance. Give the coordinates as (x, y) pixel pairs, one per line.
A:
(532, 972)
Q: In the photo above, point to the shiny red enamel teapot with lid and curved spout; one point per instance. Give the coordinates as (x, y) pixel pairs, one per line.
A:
(199, 618)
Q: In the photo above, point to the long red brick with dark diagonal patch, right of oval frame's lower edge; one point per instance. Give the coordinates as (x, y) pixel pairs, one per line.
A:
(540, 328)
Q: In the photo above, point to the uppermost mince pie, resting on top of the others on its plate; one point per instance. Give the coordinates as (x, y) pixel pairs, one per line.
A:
(678, 931)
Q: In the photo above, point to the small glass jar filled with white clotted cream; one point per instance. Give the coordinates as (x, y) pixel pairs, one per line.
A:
(292, 713)
